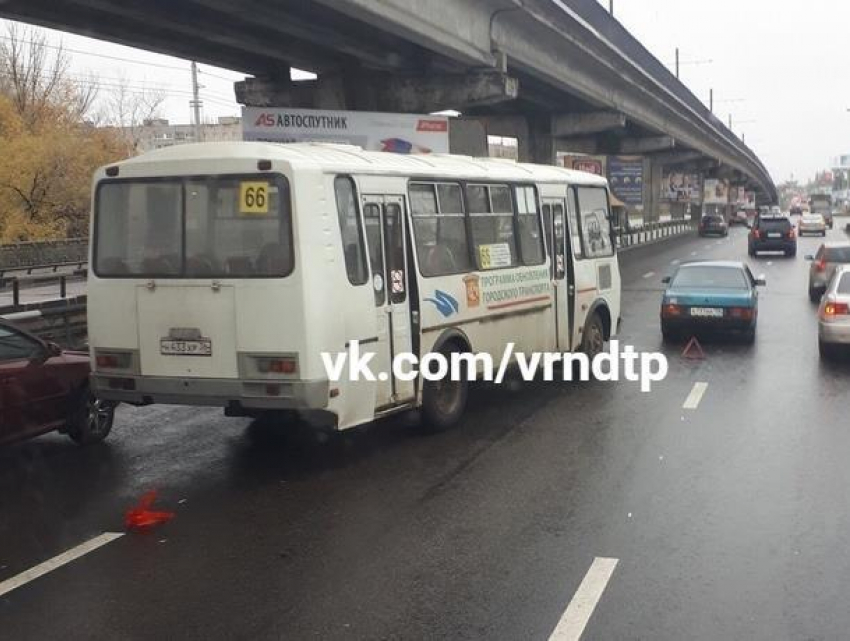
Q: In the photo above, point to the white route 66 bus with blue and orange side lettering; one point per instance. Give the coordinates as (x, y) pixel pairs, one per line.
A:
(220, 272)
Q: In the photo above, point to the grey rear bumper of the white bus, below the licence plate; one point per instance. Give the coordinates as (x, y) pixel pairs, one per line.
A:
(263, 395)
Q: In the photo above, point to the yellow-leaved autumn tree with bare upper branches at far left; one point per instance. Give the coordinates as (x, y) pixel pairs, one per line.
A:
(48, 150)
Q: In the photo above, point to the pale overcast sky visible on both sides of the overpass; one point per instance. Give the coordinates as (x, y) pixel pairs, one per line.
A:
(779, 68)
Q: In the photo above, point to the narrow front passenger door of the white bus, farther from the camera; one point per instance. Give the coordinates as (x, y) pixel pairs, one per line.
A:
(555, 223)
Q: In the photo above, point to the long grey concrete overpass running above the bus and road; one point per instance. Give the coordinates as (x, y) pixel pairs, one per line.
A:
(556, 74)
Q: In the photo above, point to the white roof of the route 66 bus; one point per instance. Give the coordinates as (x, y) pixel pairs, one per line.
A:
(350, 159)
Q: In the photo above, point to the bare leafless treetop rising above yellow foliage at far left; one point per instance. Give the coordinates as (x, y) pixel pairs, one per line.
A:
(35, 75)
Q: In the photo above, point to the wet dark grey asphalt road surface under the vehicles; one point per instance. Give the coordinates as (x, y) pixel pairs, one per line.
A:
(729, 521)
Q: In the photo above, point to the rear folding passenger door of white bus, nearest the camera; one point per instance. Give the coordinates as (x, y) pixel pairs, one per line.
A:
(384, 221)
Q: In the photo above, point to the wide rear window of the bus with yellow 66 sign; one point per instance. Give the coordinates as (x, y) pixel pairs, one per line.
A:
(193, 227)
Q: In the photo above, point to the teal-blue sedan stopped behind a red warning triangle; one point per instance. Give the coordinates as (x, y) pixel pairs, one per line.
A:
(710, 296)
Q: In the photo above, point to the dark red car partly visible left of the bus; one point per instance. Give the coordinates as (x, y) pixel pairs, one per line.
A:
(44, 388)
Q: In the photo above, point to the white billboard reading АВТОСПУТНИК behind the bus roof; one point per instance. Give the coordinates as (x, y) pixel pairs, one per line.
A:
(399, 133)
